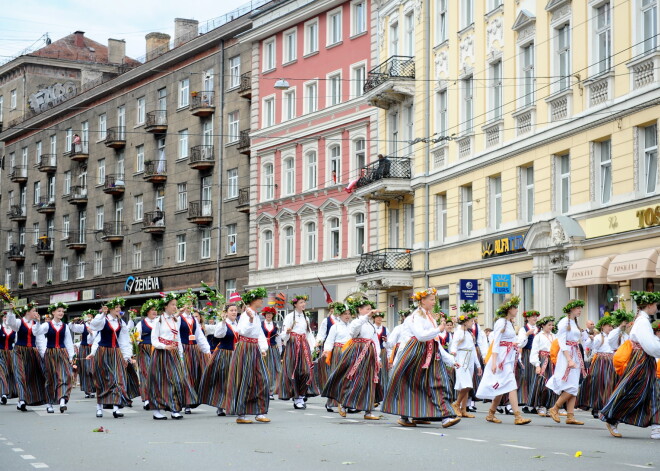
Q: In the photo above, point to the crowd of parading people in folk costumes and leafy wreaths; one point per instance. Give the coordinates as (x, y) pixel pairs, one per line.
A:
(429, 368)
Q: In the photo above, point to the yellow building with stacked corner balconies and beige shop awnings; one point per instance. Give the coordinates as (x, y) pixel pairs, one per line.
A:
(520, 138)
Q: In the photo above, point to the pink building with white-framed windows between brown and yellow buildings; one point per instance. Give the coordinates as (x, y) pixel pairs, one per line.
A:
(310, 136)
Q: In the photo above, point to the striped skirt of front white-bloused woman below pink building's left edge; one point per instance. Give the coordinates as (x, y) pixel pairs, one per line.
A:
(248, 389)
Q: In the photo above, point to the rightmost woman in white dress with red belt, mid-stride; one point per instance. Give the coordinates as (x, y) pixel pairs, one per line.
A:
(565, 382)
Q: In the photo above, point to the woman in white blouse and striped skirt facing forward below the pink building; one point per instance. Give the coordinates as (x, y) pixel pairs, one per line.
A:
(297, 378)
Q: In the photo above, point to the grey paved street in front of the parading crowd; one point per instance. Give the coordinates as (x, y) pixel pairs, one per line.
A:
(311, 439)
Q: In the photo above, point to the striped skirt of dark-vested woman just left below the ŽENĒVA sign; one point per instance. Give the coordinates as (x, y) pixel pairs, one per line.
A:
(110, 377)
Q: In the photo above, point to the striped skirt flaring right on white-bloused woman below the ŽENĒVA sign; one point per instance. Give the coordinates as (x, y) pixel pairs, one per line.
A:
(169, 386)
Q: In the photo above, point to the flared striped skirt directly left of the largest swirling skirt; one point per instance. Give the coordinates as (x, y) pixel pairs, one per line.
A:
(354, 383)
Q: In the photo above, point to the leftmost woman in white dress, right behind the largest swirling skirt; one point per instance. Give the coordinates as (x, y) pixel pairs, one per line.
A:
(464, 349)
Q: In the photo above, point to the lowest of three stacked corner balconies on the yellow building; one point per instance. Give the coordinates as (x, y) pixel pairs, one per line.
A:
(386, 269)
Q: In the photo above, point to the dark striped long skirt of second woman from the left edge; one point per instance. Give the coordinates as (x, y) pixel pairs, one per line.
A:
(29, 375)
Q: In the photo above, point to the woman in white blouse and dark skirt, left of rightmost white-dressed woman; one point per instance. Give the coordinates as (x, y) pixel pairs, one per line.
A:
(540, 397)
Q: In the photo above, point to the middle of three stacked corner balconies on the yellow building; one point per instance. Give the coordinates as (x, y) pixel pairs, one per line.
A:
(385, 179)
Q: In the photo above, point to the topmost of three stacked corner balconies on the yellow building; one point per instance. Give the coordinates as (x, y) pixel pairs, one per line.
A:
(391, 82)
